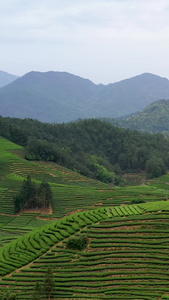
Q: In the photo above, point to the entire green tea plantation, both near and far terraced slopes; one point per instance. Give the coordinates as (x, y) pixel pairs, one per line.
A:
(127, 230)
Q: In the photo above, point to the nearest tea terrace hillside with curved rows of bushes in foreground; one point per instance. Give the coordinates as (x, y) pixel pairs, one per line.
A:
(126, 258)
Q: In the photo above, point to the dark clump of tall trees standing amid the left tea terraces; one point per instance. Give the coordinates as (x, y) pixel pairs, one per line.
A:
(31, 197)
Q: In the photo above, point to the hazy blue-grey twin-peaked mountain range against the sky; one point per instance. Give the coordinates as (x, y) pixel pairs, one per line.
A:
(63, 97)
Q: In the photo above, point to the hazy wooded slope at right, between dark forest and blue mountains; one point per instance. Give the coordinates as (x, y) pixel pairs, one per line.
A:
(152, 119)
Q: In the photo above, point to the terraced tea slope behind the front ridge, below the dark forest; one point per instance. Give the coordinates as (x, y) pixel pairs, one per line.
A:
(71, 190)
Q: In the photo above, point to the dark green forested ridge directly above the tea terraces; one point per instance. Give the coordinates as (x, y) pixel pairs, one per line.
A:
(93, 148)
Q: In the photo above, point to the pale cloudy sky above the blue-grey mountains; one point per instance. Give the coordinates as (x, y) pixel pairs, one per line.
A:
(103, 40)
